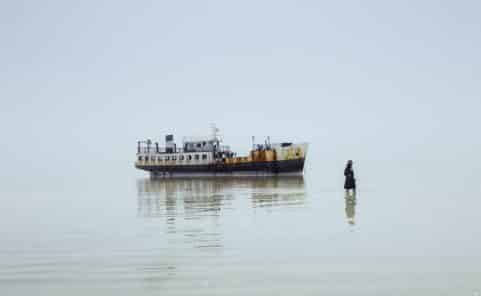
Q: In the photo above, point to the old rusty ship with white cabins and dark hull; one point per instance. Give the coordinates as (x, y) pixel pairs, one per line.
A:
(208, 156)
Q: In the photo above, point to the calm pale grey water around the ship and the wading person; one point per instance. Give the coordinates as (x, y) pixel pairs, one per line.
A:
(127, 234)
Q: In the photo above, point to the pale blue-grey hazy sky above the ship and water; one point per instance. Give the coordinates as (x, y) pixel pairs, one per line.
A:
(376, 81)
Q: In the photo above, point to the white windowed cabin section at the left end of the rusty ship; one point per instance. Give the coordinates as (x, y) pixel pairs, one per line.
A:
(197, 151)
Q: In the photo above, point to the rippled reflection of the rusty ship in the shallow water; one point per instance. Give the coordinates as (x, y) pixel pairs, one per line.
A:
(193, 208)
